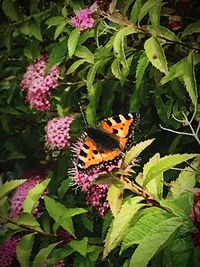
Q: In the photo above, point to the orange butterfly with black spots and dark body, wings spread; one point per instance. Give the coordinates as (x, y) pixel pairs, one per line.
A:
(106, 144)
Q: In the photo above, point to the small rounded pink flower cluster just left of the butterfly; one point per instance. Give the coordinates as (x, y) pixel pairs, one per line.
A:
(57, 132)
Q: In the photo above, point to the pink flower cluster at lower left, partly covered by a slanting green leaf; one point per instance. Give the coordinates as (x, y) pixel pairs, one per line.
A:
(21, 192)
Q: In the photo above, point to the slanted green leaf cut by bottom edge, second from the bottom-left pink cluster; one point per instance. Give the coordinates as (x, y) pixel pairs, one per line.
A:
(42, 255)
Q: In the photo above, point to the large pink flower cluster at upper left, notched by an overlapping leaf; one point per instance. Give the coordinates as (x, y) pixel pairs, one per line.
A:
(38, 85)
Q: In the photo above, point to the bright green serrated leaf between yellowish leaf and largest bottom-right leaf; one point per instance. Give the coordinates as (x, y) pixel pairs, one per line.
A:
(149, 219)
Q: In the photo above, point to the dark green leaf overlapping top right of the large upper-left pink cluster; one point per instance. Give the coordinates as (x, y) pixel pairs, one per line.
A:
(58, 52)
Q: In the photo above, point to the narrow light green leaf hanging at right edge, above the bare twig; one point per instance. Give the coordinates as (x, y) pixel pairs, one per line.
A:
(189, 78)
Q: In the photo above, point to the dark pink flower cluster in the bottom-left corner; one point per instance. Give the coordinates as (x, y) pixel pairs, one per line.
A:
(8, 252)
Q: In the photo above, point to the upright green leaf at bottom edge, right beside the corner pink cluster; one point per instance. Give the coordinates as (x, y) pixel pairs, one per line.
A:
(24, 248)
